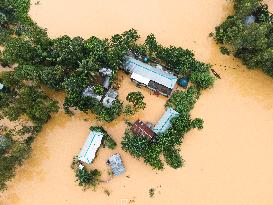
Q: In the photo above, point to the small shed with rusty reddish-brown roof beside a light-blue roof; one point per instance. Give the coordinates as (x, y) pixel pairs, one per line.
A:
(142, 129)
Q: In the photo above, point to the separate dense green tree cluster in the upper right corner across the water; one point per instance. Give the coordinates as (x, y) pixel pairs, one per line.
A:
(248, 34)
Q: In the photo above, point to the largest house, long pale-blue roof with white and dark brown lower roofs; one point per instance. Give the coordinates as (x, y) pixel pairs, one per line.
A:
(155, 78)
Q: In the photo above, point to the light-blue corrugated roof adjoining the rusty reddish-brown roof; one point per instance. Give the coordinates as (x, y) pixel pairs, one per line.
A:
(165, 122)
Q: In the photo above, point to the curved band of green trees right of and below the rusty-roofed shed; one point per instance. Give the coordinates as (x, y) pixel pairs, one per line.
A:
(166, 144)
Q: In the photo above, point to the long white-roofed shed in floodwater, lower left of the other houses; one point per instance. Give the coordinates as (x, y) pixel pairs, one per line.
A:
(90, 147)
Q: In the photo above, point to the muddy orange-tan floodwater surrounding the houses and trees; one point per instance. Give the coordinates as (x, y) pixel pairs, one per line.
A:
(229, 162)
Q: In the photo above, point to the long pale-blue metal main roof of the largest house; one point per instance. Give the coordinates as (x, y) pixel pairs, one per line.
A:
(149, 72)
